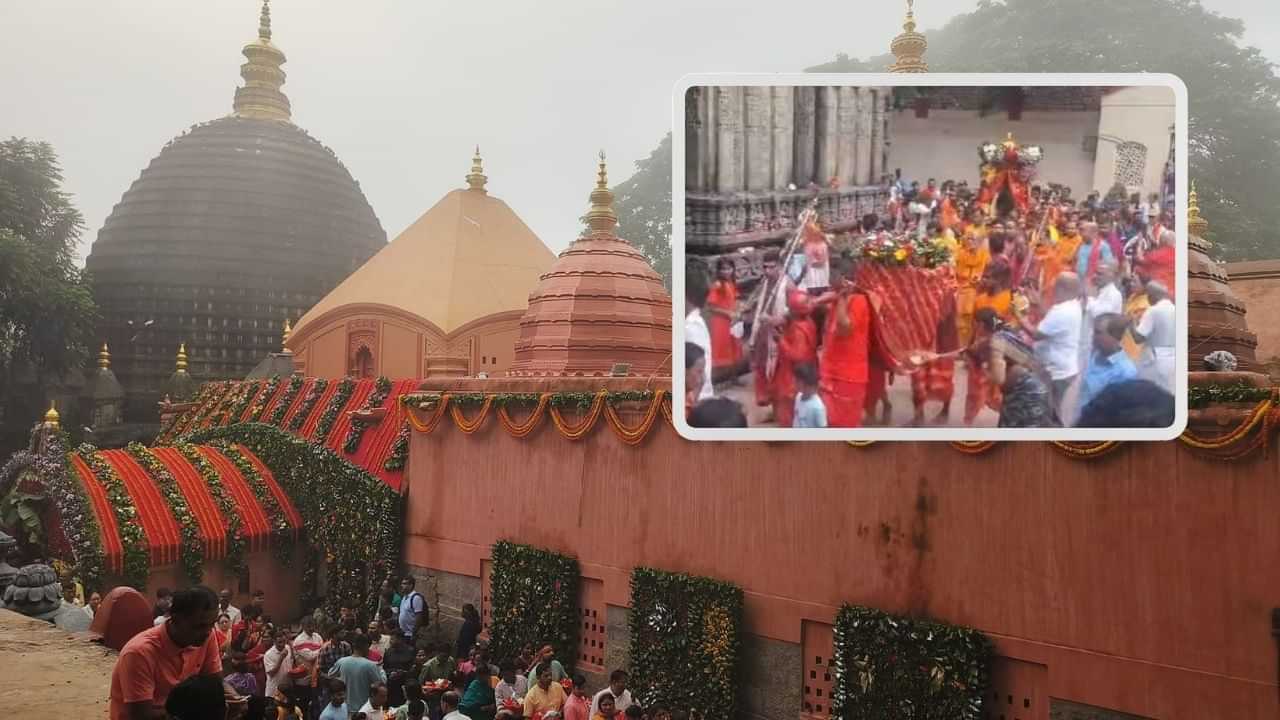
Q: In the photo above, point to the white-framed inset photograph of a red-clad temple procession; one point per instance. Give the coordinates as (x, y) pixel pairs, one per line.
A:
(957, 258)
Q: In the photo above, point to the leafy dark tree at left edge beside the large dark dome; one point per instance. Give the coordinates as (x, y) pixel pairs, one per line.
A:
(47, 309)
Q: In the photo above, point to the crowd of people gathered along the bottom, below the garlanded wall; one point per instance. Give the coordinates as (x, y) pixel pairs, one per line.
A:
(205, 659)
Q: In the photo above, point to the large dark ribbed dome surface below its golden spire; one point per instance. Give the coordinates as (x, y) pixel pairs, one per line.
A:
(236, 225)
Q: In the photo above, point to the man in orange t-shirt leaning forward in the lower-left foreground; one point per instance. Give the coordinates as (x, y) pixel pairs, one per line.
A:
(159, 658)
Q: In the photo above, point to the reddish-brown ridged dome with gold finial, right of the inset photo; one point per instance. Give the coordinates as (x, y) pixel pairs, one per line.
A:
(1215, 315)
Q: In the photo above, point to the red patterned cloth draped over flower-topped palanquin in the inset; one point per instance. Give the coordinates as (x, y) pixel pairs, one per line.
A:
(907, 303)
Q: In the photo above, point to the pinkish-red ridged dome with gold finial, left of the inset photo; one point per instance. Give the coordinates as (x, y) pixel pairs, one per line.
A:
(601, 306)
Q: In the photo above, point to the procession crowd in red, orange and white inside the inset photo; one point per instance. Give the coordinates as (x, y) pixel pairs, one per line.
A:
(1063, 316)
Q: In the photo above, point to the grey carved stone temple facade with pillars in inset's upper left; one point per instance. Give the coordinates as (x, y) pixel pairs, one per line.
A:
(756, 156)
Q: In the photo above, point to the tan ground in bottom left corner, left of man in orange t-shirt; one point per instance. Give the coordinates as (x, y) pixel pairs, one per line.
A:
(52, 672)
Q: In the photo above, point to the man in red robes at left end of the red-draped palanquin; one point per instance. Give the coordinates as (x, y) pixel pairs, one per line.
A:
(844, 366)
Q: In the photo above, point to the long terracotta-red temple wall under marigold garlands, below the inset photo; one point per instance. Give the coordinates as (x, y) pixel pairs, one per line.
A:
(1085, 573)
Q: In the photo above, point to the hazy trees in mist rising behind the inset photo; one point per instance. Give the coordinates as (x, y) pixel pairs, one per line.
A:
(1233, 92)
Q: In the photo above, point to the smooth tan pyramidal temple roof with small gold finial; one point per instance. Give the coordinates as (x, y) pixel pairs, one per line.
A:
(467, 258)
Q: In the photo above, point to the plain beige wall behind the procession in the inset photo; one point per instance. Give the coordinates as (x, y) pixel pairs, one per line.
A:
(945, 145)
